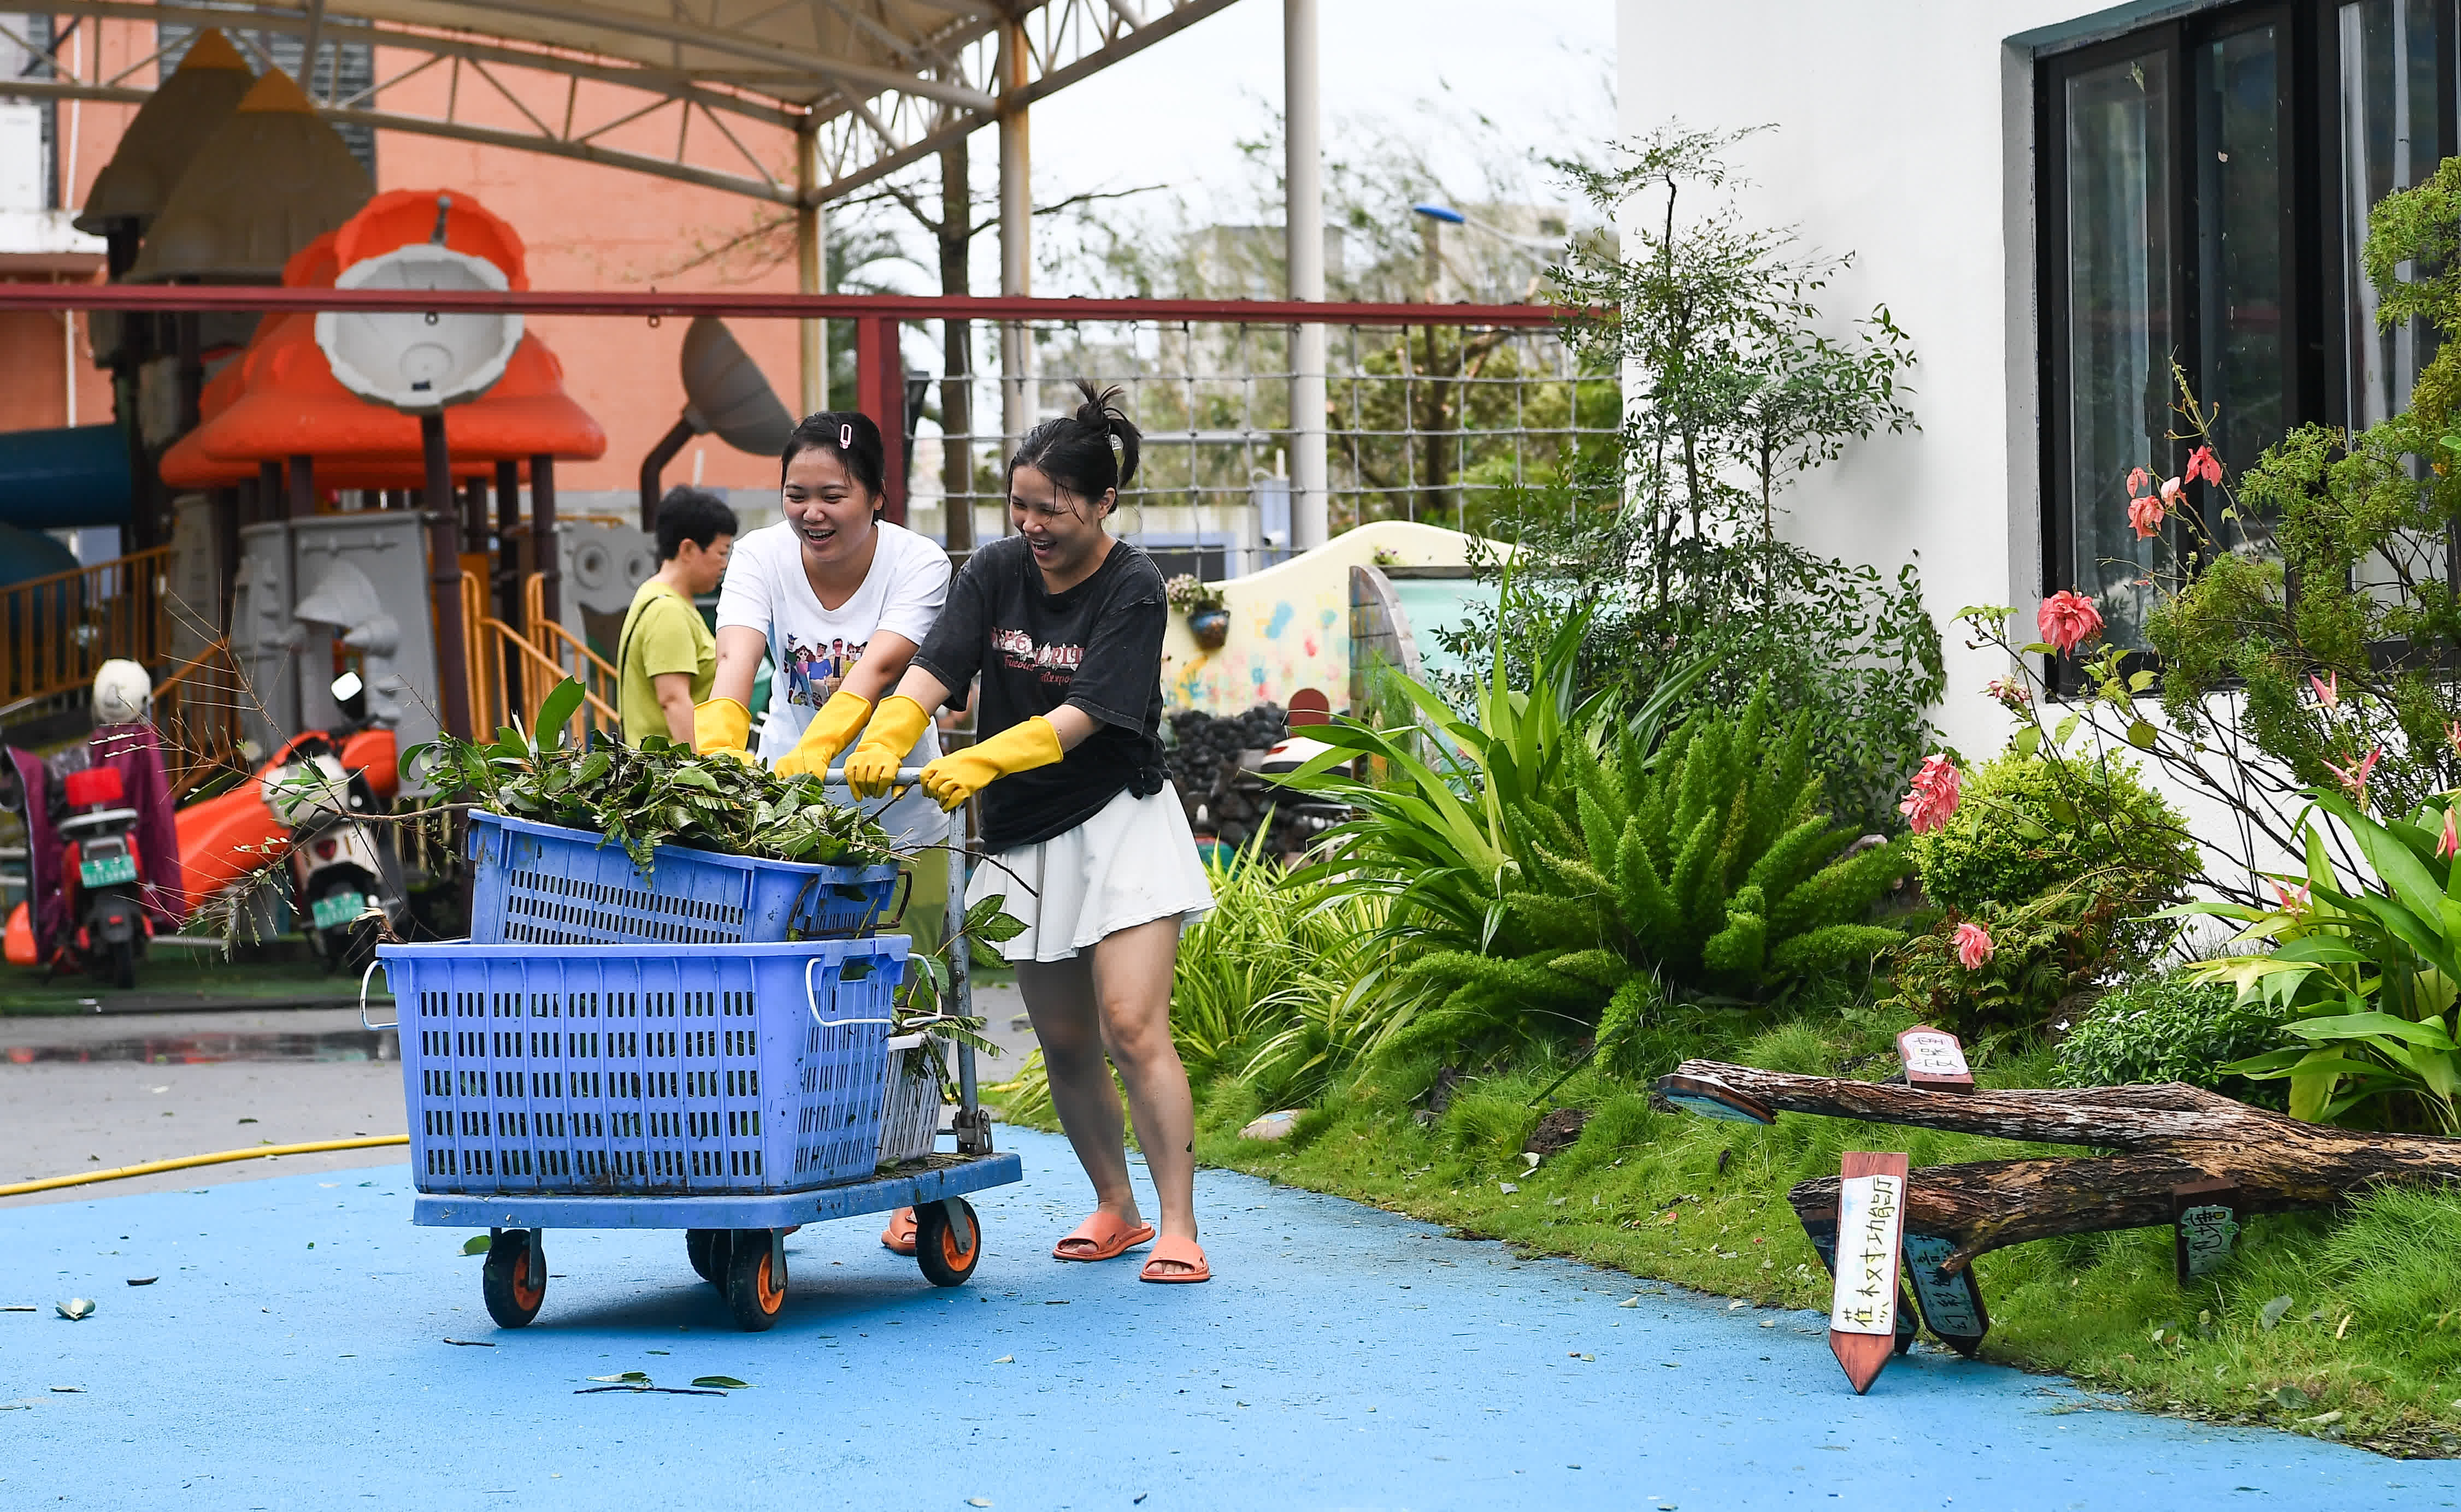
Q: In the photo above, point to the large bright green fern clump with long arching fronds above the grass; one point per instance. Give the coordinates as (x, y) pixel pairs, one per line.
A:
(1557, 869)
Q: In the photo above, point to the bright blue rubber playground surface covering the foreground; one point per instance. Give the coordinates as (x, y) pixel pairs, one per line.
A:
(297, 1353)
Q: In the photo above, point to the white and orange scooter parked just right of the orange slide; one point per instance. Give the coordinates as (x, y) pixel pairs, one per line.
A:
(346, 876)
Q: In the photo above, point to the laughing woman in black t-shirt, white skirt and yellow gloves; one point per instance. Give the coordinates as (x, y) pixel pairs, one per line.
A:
(1089, 842)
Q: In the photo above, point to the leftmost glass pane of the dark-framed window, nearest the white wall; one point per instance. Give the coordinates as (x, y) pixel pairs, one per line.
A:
(2118, 318)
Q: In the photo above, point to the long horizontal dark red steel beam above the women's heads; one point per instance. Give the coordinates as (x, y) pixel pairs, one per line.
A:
(752, 306)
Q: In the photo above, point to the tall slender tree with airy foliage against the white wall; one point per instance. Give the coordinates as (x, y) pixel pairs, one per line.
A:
(1741, 390)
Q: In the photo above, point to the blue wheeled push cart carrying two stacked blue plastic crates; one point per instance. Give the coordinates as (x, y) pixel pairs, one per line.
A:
(607, 1083)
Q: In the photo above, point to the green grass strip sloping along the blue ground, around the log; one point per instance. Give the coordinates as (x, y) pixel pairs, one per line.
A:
(2374, 1329)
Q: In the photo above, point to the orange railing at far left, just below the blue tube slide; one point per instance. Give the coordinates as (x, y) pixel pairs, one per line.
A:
(60, 631)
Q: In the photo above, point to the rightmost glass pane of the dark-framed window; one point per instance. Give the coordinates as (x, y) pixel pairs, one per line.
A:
(2388, 139)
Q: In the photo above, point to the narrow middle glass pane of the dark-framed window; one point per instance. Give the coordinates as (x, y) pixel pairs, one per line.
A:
(2238, 237)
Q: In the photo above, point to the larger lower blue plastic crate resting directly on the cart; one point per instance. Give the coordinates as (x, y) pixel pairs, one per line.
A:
(644, 1071)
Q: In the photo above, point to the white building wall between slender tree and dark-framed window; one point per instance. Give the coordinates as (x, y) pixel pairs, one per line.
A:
(1901, 134)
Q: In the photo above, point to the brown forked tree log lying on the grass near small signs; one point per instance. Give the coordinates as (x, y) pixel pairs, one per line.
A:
(2169, 1137)
